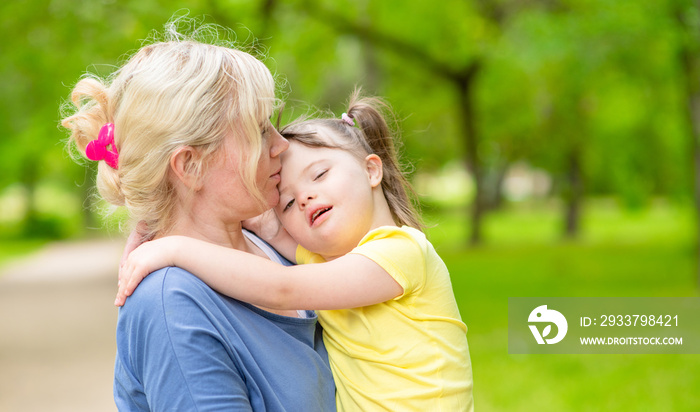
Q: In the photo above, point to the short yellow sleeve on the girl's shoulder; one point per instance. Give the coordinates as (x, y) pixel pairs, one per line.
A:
(397, 252)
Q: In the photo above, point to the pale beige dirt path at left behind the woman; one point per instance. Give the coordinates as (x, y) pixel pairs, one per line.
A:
(57, 324)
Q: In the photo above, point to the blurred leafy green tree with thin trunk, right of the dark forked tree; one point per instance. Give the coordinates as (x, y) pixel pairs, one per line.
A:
(602, 92)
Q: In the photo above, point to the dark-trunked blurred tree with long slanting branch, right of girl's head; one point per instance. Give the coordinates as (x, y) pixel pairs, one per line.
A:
(402, 31)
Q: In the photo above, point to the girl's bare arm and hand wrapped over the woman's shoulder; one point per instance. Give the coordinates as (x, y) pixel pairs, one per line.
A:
(346, 282)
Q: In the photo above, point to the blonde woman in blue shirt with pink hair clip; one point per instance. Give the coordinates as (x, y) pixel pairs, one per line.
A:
(184, 141)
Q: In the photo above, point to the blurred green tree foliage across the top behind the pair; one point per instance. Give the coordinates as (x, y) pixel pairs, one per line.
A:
(597, 77)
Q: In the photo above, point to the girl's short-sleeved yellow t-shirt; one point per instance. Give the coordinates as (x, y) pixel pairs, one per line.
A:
(406, 354)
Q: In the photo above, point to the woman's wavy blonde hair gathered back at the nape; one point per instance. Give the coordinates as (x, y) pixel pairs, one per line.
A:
(174, 93)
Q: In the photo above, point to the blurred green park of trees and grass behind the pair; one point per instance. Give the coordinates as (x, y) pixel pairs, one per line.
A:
(554, 144)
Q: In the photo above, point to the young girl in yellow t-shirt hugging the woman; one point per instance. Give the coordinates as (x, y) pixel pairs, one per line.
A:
(391, 324)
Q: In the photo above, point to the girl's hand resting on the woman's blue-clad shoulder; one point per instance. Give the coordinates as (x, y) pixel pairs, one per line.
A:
(146, 258)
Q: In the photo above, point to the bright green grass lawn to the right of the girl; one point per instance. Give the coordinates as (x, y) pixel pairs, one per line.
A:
(621, 253)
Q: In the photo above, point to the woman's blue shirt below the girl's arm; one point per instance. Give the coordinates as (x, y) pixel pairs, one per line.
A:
(183, 347)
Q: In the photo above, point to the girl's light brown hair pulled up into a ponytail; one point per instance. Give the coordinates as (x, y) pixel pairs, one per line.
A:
(372, 135)
